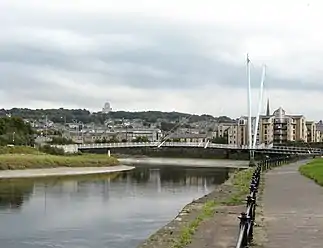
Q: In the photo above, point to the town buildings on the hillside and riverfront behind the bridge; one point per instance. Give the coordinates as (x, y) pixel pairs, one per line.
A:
(276, 127)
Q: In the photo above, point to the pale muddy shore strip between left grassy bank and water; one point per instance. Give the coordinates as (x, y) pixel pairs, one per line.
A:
(62, 171)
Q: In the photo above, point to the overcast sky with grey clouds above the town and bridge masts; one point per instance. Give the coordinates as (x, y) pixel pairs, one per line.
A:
(169, 55)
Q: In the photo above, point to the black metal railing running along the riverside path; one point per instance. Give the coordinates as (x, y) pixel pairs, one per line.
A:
(247, 218)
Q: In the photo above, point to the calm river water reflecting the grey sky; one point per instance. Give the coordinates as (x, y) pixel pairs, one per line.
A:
(117, 210)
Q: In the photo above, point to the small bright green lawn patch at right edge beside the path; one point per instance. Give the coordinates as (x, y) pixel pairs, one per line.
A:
(313, 170)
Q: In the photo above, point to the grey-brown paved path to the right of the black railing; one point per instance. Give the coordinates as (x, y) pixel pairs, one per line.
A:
(293, 209)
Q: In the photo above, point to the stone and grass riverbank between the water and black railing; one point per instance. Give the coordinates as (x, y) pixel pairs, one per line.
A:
(220, 209)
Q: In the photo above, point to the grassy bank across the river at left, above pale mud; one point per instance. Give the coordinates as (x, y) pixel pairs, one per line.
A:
(13, 158)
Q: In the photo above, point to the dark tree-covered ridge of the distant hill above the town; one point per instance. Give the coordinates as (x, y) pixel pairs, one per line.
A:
(61, 115)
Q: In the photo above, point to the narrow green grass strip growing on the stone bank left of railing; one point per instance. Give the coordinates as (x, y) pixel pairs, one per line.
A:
(240, 182)
